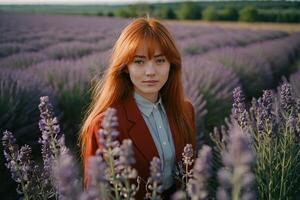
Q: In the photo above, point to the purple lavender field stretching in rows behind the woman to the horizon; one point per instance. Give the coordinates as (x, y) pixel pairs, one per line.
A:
(223, 69)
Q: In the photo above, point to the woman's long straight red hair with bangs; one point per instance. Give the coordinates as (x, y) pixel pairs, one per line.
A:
(115, 86)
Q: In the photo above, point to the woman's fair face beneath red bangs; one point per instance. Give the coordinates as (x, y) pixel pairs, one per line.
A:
(148, 75)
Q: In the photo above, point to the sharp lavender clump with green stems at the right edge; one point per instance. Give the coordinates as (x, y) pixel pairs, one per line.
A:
(273, 122)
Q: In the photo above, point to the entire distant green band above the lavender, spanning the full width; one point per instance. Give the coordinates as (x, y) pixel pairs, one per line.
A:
(221, 10)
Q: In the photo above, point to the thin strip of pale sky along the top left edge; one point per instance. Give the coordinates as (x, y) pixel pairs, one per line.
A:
(79, 1)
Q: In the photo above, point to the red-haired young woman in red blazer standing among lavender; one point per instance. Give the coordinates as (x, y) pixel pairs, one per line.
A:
(143, 83)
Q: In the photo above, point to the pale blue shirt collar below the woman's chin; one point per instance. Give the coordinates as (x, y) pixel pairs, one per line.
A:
(147, 106)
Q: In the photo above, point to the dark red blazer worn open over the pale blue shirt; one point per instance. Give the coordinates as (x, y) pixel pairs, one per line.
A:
(132, 126)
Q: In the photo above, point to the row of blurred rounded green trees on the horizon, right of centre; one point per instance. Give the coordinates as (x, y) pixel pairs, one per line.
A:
(211, 12)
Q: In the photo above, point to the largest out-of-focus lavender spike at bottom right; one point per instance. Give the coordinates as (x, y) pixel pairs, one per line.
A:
(235, 178)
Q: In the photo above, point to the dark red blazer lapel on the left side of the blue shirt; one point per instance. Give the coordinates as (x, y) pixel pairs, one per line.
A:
(138, 130)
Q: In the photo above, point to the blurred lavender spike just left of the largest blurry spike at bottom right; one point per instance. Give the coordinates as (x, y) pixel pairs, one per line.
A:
(196, 187)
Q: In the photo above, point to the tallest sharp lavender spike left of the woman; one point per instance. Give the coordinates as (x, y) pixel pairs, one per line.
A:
(52, 140)
